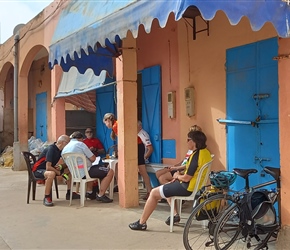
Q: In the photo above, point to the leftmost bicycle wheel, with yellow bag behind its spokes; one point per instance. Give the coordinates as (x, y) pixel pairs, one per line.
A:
(199, 228)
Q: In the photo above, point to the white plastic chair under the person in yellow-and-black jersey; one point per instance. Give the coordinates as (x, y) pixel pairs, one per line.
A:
(204, 171)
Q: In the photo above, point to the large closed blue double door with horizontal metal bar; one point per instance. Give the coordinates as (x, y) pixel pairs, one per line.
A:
(252, 108)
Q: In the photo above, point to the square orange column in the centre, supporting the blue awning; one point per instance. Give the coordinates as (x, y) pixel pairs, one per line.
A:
(126, 74)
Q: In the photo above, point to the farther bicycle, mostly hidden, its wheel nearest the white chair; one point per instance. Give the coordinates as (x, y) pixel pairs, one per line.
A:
(199, 231)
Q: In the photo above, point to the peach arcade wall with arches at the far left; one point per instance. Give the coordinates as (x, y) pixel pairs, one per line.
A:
(34, 39)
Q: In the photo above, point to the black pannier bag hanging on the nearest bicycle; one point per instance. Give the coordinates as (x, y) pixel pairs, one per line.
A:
(257, 213)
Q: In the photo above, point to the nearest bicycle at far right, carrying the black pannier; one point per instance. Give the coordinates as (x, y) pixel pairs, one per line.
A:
(232, 231)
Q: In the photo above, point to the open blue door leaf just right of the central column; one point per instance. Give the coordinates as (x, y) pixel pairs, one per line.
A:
(151, 108)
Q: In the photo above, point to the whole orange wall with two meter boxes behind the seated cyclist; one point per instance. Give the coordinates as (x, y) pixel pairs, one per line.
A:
(200, 64)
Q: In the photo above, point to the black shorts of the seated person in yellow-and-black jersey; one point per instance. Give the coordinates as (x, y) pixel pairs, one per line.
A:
(173, 189)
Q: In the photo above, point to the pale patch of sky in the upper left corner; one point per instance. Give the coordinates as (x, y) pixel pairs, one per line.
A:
(15, 12)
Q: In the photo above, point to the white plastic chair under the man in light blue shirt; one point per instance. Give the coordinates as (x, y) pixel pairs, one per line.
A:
(71, 160)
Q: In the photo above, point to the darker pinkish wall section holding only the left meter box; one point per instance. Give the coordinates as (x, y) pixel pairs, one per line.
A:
(160, 47)
